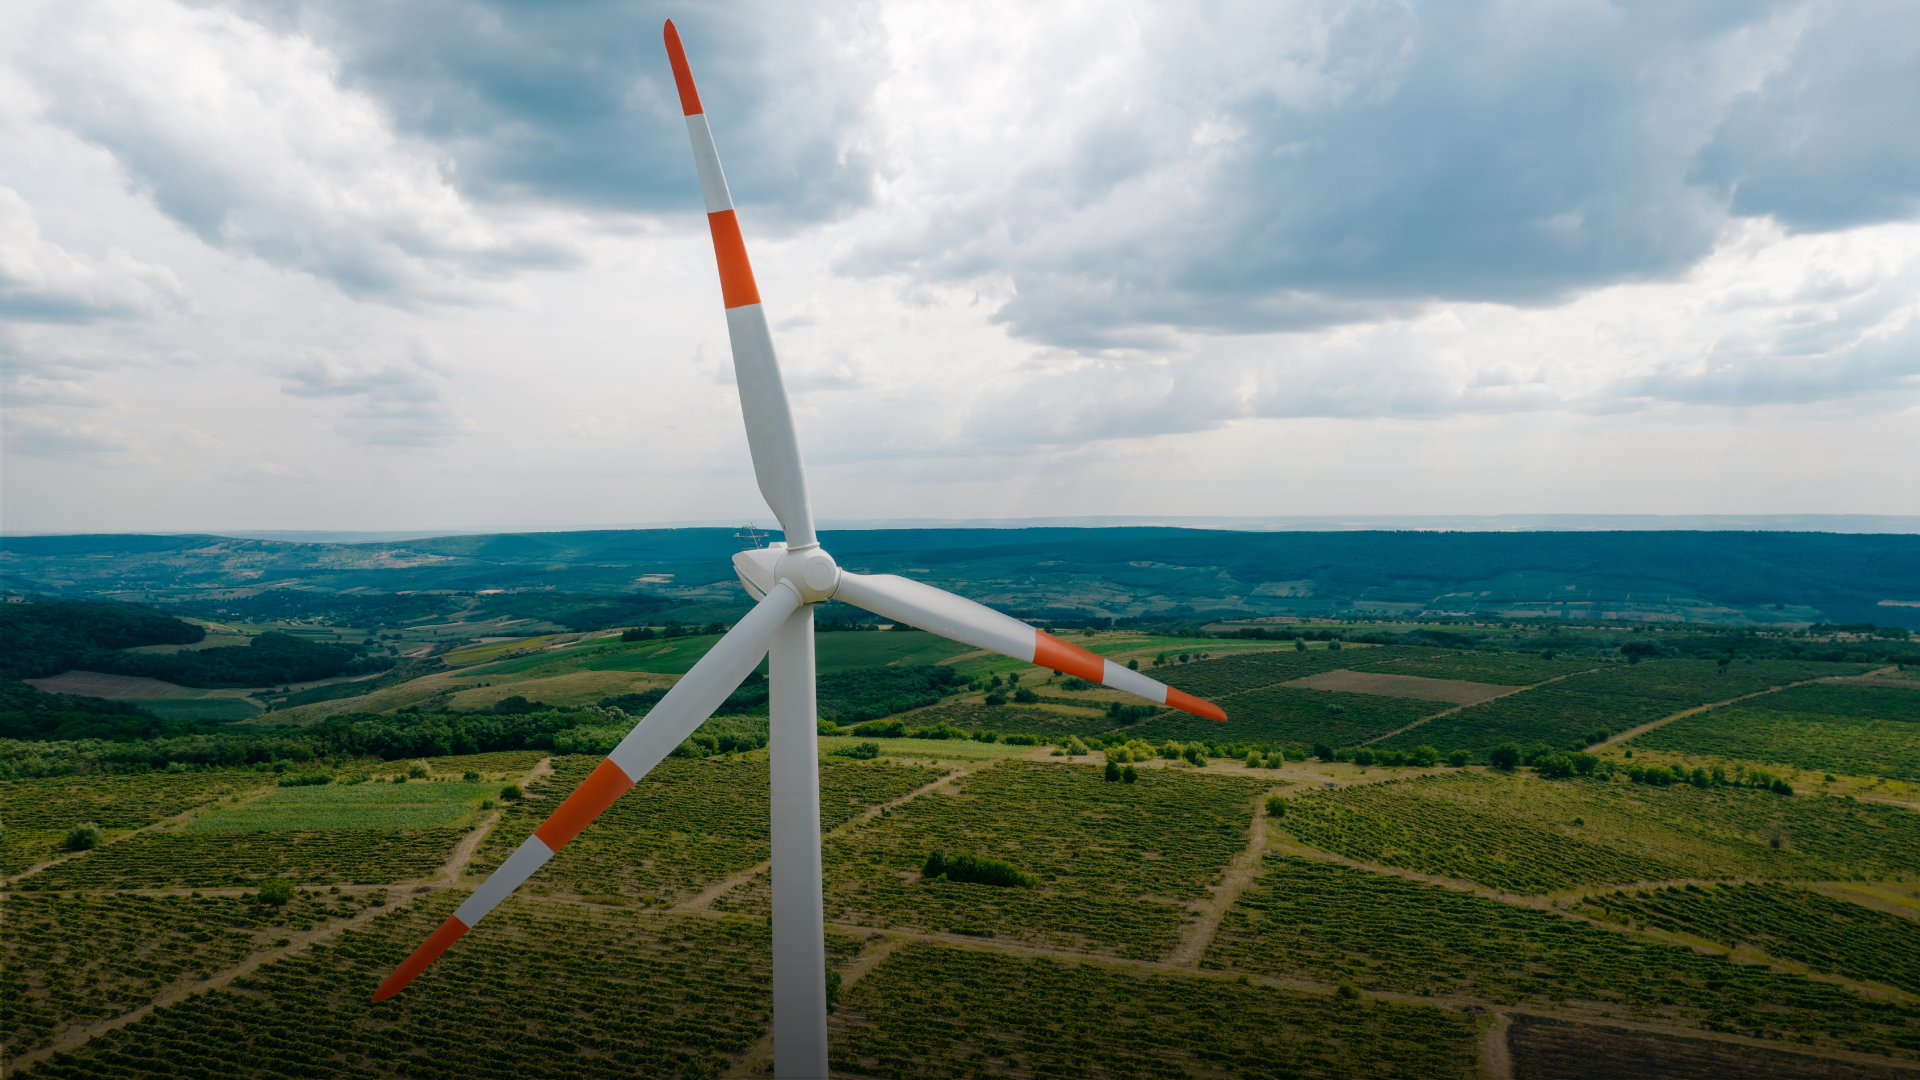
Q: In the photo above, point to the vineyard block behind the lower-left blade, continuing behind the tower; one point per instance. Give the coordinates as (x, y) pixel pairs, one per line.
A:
(686, 825)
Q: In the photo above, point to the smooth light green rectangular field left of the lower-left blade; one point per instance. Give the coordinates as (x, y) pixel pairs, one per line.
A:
(329, 808)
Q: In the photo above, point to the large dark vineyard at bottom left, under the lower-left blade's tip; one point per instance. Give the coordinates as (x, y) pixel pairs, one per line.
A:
(539, 991)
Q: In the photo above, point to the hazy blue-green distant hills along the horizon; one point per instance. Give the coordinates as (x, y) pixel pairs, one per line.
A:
(1065, 574)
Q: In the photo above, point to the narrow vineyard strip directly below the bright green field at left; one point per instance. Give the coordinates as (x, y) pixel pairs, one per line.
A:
(220, 860)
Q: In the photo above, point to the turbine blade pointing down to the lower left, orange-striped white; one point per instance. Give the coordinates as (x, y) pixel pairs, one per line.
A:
(686, 706)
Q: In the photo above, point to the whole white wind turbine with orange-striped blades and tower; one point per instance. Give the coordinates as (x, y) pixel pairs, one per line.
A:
(786, 579)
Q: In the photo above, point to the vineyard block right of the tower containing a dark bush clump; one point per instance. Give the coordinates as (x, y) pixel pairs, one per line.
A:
(1116, 864)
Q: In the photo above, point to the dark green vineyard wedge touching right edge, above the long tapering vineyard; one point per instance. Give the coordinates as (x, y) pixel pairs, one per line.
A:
(1802, 925)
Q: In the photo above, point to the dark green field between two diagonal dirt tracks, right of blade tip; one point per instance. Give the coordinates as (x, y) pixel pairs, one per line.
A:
(1618, 699)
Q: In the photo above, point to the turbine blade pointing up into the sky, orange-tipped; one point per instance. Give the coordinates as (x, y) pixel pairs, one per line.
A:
(763, 395)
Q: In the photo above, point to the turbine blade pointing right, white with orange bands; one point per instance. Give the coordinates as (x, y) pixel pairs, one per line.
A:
(961, 620)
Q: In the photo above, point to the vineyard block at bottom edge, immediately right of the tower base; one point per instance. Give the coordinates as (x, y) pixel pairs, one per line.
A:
(934, 1012)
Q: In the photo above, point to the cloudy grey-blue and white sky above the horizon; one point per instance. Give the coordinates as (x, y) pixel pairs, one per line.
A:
(350, 264)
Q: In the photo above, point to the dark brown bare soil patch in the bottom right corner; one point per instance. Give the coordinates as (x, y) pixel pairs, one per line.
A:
(1556, 1050)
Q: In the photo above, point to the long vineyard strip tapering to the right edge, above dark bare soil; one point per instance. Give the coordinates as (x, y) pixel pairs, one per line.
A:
(1308, 920)
